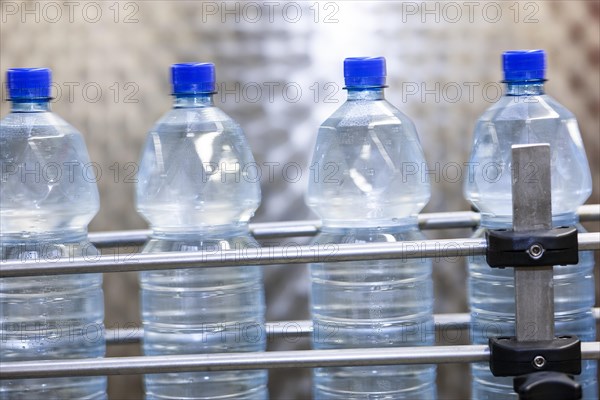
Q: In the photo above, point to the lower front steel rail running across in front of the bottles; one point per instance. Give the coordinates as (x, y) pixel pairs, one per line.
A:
(266, 360)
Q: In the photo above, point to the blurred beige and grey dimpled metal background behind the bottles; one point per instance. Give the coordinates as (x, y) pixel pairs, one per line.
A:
(279, 67)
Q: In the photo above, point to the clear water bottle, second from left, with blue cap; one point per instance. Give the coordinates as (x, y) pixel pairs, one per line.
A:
(197, 191)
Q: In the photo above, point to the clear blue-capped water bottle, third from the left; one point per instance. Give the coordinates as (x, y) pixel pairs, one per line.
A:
(364, 186)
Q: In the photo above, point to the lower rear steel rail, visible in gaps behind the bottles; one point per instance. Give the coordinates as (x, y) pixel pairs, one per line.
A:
(295, 329)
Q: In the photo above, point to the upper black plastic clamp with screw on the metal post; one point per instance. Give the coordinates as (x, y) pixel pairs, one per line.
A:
(506, 248)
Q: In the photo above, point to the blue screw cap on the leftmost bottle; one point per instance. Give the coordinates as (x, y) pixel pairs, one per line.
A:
(28, 83)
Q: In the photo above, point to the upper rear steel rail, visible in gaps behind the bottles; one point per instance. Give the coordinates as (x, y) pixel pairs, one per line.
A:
(442, 220)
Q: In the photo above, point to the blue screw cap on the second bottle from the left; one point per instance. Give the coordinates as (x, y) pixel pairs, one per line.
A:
(192, 78)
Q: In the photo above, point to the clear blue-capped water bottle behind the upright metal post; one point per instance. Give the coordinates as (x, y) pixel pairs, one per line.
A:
(526, 115)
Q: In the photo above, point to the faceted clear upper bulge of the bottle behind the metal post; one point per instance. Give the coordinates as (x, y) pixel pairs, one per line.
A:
(526, 120)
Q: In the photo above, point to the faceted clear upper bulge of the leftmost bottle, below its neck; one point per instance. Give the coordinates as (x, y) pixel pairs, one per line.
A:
(50, 186)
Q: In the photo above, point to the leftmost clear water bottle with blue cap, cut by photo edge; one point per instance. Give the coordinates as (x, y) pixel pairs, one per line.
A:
(46, 203)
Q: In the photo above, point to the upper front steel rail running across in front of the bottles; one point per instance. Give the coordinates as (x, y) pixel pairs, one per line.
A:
(293, 254)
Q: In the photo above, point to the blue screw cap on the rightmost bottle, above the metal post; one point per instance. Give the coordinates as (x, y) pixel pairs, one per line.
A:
(524, 65)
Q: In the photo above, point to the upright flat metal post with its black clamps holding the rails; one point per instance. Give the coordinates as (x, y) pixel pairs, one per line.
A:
(533, 243)
